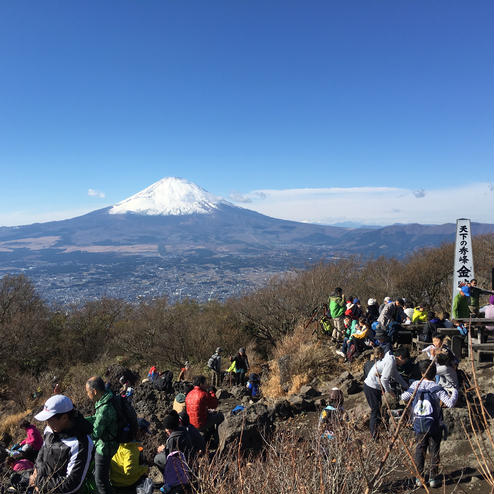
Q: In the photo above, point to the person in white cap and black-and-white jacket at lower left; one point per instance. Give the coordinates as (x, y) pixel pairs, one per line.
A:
(63, 461)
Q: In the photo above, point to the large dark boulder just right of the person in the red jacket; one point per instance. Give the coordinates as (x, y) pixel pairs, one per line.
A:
(249, 427)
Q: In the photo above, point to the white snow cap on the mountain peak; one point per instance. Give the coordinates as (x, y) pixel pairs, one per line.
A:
(169, 196)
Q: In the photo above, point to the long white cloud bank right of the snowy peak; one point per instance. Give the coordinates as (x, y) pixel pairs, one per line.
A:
(374, 205)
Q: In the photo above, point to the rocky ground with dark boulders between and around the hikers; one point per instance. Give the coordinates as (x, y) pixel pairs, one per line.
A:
(298, 413)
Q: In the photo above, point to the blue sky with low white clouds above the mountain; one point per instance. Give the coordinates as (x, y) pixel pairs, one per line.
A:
(264, 103)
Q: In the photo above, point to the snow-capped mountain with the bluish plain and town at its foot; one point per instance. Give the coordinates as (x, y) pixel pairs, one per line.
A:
(175, 238)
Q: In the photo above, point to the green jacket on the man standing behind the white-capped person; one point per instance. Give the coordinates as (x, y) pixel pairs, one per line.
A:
(105, 426)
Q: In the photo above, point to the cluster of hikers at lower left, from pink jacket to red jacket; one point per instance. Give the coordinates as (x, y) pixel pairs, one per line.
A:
(102, 453)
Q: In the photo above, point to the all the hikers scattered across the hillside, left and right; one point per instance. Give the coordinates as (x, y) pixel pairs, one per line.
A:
(103, 453)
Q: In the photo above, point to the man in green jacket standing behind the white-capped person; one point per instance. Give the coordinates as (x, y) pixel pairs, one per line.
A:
(105, 431)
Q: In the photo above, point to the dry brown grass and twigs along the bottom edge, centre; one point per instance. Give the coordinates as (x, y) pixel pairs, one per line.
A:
(309, 465)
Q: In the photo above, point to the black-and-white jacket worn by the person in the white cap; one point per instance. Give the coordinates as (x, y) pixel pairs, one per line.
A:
(63, 460)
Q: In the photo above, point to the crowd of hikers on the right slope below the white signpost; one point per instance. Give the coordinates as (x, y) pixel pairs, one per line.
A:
(431, 384)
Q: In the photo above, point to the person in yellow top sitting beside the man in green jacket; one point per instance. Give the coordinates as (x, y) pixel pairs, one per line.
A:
(127, 466)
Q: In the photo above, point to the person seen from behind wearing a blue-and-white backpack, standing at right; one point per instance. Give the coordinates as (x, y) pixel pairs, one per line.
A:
(426, 416)
